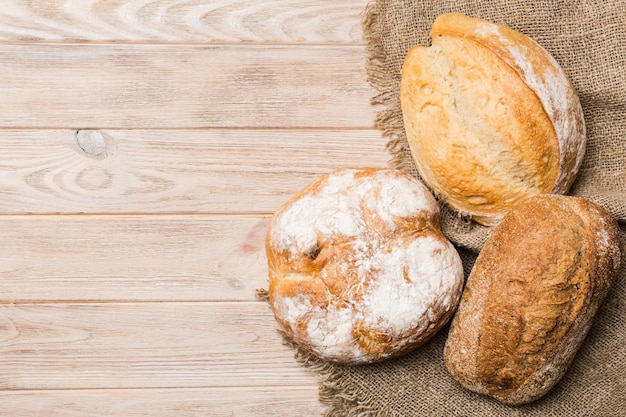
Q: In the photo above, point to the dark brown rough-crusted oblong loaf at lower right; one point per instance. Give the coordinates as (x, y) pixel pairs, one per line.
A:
(531, 297)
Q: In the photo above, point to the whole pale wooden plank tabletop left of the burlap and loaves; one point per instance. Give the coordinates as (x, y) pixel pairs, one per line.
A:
(144, 145)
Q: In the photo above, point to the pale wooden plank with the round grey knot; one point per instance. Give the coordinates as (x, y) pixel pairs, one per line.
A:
(171, 171)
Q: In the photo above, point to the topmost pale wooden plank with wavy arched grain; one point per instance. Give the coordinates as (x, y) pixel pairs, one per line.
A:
(285, 21)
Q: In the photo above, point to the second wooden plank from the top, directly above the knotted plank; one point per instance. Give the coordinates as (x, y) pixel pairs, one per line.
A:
(183, 86)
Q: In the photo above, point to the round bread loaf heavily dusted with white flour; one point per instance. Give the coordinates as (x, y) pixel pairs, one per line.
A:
(359, 269)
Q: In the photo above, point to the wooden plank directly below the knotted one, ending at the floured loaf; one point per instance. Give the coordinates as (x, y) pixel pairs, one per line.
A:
(128, 258)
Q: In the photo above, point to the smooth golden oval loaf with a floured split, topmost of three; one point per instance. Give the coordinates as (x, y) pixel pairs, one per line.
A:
(490, 117)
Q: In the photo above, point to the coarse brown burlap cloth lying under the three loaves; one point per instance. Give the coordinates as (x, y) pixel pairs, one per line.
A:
(588, 39)
